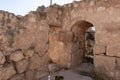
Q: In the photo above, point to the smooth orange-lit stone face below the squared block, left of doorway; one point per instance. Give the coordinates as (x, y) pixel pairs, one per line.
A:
(60, 53)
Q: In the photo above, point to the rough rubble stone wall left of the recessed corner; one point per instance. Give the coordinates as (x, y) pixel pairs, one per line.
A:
(23, 47)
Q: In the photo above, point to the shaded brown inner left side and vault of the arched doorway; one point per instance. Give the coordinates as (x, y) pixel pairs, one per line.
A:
(78, 54)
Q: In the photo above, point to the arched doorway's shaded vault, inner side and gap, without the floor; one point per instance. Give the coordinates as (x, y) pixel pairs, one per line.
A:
(83, 42)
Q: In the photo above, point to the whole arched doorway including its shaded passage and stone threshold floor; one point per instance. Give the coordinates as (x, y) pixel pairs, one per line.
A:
(82, 50)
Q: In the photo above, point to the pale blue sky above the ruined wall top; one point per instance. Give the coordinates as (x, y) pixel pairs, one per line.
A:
(22, 7)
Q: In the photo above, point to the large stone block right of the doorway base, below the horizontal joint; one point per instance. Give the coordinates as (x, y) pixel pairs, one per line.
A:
(104, 65)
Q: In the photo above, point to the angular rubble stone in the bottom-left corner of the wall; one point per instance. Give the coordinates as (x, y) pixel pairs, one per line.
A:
(7, 72)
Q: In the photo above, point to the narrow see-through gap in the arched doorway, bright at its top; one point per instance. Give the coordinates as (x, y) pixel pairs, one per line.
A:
(89, 44)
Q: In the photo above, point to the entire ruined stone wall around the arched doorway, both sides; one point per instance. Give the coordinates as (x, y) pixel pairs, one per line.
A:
(56, 33)
